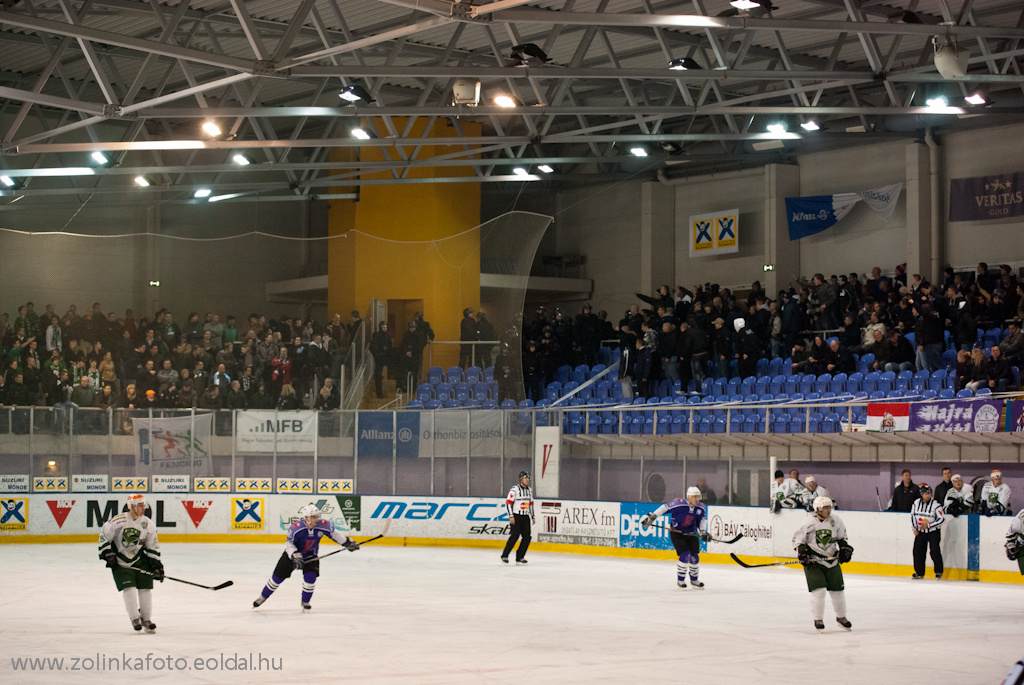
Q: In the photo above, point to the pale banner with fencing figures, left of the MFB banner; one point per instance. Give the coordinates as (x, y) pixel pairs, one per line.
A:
(169, 446)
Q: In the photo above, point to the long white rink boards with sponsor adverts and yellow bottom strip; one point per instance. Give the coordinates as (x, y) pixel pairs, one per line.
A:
(972, 546)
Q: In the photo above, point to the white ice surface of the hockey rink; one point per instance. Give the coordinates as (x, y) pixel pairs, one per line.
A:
(415, 615)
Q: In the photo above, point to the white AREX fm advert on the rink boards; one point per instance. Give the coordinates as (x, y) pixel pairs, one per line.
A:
(571, 523)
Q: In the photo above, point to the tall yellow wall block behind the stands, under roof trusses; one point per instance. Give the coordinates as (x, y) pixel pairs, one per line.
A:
(445, 274)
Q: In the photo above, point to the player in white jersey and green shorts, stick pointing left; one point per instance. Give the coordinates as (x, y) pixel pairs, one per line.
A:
(822, 546)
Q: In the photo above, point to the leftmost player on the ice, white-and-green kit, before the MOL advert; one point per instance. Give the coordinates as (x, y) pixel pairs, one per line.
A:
(129, 544)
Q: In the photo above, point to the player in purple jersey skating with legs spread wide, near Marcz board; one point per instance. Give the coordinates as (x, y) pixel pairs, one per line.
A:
(302, 551)
